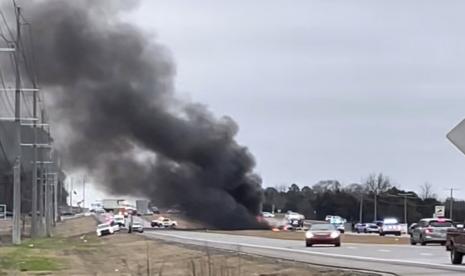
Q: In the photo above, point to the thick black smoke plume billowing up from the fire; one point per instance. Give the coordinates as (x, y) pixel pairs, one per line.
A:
(112, 90)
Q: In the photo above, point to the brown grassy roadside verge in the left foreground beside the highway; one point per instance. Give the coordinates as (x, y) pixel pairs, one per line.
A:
(74, 253)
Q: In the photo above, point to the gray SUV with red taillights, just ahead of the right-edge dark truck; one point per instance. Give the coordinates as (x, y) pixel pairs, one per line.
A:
(431, 230)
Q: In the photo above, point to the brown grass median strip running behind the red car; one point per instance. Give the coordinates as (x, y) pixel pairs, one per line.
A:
(299, 235)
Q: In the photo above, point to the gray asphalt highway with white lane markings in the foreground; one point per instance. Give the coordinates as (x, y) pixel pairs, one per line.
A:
(390, 259)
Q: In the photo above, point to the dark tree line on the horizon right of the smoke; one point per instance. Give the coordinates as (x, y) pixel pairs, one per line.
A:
(357, 201)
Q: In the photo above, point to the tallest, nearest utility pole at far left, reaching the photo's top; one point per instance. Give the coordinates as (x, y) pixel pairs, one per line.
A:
(16, 235)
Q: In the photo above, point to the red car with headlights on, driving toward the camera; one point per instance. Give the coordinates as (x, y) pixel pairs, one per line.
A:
(324, 233)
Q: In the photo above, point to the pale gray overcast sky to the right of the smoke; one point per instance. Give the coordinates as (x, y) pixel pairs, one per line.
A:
(326, 89)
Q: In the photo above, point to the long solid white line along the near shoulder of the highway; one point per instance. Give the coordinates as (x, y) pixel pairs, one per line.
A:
(361, 258)
